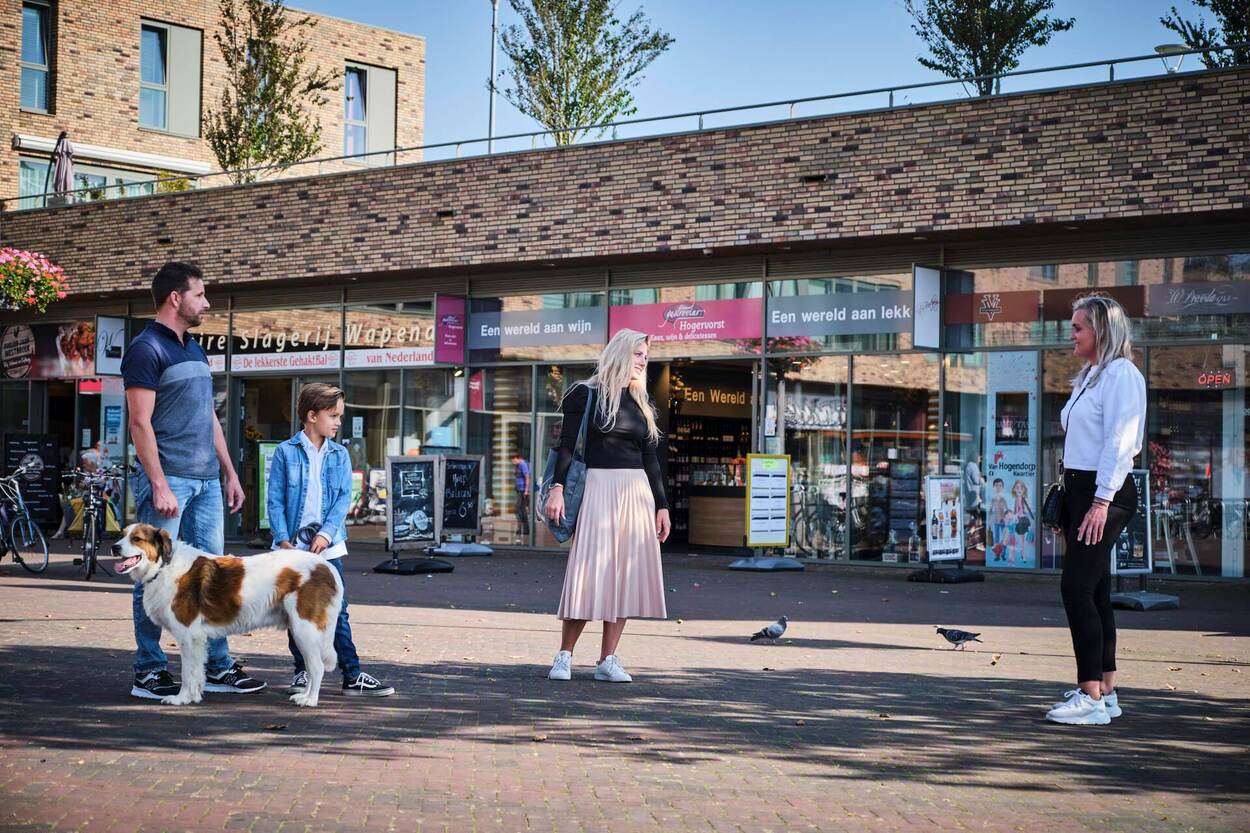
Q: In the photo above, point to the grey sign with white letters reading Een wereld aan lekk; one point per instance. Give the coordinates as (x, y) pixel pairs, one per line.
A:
(841, 315)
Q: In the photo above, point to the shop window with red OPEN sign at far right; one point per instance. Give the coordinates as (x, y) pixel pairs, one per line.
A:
(1198, 428)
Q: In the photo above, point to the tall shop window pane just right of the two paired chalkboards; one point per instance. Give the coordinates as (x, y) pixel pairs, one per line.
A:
(501, 401)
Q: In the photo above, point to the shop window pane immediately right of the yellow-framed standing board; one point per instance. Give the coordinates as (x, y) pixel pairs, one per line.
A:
(808, 406)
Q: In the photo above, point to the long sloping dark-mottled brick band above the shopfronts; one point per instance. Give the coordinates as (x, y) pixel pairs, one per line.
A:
(1171, 148)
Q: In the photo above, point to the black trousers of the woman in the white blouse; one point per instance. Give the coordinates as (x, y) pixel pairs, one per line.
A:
(1087, 581)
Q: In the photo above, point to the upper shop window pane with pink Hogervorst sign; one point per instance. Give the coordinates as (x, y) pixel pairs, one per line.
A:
(693, 322)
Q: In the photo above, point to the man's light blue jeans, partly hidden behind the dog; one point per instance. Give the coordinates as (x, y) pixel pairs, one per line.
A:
(201, 523)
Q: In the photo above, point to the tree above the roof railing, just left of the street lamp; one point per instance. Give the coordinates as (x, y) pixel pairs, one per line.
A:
(979, 38)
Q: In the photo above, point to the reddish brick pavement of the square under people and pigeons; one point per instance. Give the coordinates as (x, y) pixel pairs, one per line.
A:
(859, 721)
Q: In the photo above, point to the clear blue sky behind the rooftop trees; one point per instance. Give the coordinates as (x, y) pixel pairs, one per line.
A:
(742, 52)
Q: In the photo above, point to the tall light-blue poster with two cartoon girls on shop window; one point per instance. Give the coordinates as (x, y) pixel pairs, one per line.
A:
(1011, 477)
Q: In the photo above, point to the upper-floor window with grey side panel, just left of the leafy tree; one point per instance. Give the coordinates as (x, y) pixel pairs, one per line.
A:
(169, 78)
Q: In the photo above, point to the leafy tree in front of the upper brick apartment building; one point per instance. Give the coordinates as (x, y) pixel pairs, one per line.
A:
(268, 114)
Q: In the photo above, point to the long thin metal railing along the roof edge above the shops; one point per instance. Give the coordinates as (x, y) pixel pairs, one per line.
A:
(884, 98)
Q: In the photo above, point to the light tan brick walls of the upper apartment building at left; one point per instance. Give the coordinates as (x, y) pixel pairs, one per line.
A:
(96, 77)
